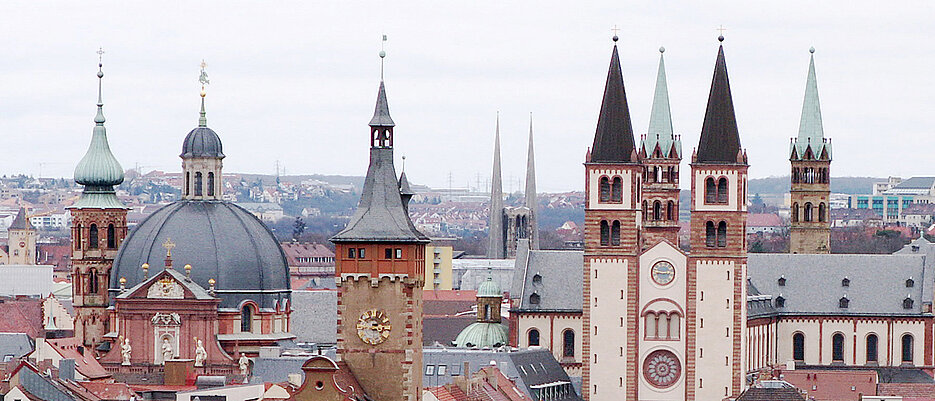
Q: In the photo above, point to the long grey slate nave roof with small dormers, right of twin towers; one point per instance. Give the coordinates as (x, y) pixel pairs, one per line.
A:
(813, 283)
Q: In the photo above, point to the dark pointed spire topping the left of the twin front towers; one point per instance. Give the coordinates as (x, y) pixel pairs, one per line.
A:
(613, 141)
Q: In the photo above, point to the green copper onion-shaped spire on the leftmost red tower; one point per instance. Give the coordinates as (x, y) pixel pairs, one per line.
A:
(99, 171)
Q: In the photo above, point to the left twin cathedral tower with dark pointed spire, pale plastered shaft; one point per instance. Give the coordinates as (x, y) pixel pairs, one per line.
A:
(611, 247)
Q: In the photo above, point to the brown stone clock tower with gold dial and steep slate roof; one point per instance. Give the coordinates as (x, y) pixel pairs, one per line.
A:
(380, 272)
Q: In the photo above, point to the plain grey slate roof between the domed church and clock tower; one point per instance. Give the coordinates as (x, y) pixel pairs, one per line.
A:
(314, 316)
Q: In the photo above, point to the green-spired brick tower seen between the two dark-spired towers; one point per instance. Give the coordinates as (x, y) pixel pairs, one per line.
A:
(661, 153)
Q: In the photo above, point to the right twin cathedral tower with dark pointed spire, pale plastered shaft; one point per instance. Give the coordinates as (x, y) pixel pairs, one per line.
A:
(716, 314)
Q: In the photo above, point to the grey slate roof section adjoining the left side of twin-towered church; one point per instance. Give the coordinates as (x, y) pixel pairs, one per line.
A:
(560, 287)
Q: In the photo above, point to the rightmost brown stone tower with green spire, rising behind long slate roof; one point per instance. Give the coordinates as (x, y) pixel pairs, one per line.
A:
(810, 155)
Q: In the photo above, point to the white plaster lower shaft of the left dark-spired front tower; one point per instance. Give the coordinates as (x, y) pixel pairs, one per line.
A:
(608, 363)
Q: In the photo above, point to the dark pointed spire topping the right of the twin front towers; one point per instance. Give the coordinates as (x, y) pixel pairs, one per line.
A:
(720, 139)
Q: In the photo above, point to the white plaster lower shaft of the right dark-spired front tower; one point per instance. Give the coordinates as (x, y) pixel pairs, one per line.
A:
(714, 372)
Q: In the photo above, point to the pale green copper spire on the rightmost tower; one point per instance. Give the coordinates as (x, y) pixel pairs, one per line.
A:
(811, 132)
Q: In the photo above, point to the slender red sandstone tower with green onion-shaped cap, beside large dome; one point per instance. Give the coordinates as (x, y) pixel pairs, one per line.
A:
(99, 225)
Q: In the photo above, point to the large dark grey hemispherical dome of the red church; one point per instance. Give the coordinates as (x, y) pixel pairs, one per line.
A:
(221, 241)
